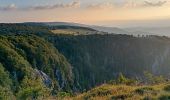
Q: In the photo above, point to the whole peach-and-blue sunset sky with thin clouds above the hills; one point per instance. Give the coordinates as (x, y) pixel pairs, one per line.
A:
(120, 13)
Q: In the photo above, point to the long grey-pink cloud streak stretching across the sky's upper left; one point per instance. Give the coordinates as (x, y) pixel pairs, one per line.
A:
(74, 4)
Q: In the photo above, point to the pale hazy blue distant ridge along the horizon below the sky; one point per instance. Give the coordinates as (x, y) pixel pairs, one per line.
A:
(160, 31)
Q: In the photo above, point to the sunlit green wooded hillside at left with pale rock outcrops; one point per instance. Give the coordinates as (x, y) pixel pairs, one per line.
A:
(30, 66)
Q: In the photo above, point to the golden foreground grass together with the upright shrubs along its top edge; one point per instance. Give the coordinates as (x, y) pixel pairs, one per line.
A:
(129, 89)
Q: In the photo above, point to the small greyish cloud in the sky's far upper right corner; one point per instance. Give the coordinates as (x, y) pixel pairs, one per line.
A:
(154, 4)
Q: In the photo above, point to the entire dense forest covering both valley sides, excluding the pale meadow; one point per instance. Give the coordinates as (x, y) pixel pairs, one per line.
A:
(35, 63)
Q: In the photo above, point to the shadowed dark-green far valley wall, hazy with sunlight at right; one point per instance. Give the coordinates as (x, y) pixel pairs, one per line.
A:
(99, 58)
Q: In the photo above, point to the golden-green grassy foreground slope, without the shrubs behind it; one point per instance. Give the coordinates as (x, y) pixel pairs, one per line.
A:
(121, 92)
